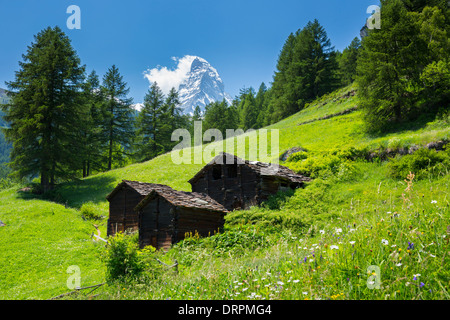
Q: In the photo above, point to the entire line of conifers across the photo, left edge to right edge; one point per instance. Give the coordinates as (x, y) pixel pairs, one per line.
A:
(65, 124)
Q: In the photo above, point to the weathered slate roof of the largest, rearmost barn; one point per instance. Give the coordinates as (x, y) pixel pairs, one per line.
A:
(262, 167)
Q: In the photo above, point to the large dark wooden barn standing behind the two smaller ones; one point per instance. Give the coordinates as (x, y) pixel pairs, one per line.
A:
(240, 184)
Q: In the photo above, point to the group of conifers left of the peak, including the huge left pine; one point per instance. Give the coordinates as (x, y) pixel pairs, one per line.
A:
(64, 124)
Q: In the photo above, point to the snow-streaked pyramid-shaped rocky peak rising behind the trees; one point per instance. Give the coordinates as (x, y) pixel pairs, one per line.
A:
(201, 86)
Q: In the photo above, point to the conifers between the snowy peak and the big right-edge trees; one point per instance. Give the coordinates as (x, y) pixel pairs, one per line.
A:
(308, 67)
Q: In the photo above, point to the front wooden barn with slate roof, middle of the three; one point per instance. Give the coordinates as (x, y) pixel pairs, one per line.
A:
(165, 216)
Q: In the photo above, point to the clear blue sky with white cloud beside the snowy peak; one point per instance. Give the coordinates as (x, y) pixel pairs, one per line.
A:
(241, 39)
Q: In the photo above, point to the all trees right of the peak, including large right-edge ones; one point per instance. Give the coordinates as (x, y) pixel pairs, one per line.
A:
(401, 71)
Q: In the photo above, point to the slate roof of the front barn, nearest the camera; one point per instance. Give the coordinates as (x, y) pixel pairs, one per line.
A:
(184, 199)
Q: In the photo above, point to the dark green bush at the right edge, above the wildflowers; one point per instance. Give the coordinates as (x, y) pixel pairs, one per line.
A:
(422, 163)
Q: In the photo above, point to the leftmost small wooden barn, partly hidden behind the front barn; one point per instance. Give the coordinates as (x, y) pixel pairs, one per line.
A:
(122, 201)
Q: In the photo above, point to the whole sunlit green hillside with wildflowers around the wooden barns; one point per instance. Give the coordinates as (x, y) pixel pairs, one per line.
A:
(300, 246)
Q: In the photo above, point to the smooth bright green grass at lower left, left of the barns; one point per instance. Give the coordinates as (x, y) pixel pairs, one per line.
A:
(40, 241)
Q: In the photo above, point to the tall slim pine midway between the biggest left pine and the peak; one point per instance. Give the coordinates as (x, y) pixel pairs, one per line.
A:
(118, 124)
